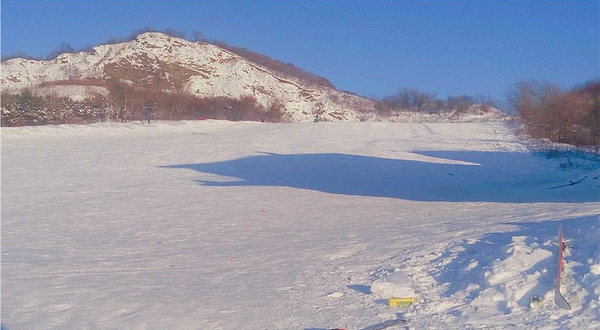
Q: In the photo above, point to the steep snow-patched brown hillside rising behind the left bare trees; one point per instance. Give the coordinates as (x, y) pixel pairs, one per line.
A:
(198, 68)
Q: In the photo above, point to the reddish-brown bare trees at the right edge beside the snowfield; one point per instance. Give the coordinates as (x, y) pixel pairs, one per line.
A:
(564, 116)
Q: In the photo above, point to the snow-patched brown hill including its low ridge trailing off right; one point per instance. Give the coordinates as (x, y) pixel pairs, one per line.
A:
(158, 61)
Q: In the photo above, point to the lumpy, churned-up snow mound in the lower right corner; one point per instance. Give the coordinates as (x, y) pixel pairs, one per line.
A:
(497, 274)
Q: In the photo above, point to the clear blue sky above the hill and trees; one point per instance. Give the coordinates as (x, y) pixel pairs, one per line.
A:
(372, 48)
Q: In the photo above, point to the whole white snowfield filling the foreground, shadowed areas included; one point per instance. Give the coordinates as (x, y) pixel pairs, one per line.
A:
(221, 225)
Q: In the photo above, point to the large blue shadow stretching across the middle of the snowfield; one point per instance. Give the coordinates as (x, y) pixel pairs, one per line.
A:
(458, 176)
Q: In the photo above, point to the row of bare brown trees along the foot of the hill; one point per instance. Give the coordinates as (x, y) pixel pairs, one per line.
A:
(125, 103)
